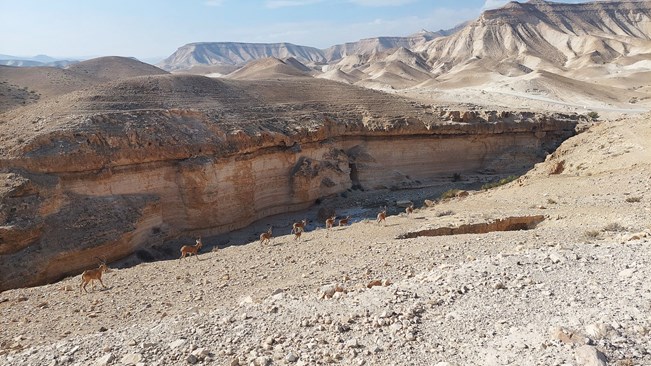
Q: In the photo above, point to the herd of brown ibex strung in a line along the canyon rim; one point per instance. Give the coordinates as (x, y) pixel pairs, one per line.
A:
(92, 275)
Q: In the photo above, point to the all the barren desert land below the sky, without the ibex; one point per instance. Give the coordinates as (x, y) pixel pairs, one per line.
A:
(522, 139)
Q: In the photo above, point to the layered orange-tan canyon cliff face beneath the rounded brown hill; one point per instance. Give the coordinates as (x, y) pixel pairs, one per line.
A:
(70, 198)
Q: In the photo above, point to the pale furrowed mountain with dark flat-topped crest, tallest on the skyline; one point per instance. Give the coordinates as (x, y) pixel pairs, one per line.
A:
(546, 35)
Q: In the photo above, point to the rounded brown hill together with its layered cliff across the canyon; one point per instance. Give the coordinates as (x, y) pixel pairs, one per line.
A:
(122, 168)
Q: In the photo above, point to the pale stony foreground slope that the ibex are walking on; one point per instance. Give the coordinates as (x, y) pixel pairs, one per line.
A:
(574, 290)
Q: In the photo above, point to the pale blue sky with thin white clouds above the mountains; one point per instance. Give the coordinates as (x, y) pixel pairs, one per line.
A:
(153, 29)
